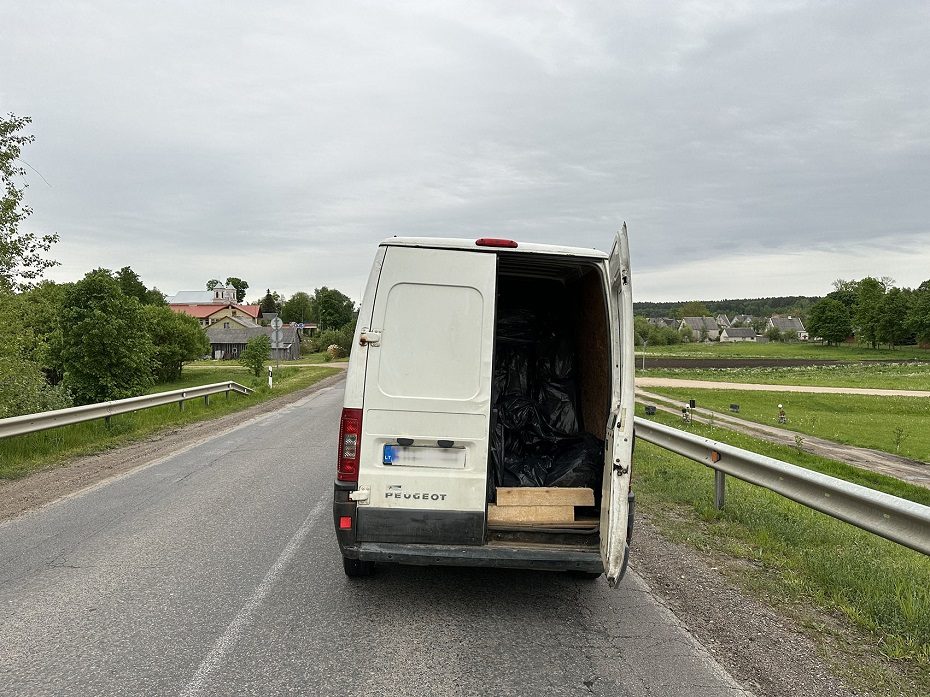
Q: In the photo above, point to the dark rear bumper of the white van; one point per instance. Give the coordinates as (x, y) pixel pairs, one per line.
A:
(500, 556)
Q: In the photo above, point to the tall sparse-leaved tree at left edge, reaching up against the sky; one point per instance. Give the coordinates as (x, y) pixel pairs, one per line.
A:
(22, 254)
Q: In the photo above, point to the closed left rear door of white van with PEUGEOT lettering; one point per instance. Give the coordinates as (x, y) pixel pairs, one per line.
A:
(424, 442)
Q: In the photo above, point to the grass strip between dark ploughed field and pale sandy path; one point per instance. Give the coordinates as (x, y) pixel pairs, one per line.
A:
(889, 376)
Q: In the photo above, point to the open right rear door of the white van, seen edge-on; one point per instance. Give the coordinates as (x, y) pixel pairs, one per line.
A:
(618, 454)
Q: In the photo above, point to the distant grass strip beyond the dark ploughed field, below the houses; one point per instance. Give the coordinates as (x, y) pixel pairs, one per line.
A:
(801, 349)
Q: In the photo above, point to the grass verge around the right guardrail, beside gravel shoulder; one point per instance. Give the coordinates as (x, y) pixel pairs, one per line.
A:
(798, 556)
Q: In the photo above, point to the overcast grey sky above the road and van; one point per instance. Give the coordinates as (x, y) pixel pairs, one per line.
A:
(754, 148)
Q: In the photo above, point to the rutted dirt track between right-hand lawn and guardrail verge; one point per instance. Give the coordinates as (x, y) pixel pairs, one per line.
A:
(902, 468)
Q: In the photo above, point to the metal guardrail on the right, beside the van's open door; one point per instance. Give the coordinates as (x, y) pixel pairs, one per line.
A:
(891, 517)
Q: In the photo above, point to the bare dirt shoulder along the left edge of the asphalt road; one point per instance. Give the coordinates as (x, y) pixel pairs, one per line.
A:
(59, 480)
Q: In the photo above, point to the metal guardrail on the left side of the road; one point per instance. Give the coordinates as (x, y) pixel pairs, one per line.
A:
(29, 423)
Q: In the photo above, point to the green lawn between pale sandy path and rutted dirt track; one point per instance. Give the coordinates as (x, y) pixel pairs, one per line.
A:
(899, 425)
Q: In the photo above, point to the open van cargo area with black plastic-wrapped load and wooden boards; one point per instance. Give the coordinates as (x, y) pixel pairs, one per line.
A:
(550, 398)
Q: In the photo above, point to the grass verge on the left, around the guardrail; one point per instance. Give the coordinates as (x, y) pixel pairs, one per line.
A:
(21, 455)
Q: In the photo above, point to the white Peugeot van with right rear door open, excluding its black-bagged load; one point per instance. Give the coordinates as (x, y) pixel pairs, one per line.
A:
(415, 474)
